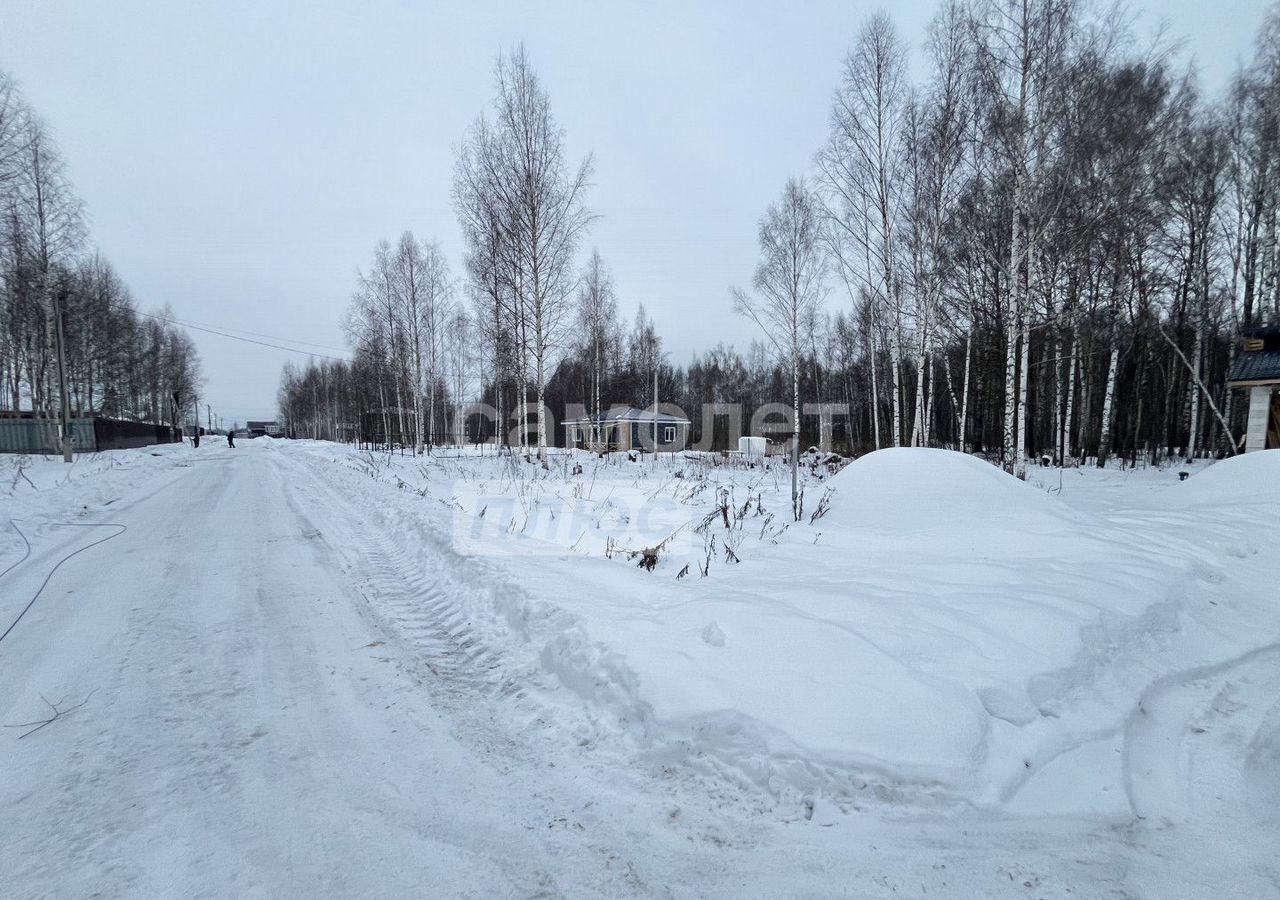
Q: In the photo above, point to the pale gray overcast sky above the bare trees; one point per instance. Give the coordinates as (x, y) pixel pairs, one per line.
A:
(240, 161)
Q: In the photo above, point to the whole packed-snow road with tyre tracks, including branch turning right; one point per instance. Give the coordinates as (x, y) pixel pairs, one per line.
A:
(284, 697)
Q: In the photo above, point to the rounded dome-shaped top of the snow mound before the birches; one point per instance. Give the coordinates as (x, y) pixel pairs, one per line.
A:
(926, 491)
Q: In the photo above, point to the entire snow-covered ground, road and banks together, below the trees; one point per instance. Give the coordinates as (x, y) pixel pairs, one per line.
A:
(641, 677)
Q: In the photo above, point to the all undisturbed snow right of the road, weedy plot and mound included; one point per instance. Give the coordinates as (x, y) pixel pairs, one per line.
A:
(944, 633)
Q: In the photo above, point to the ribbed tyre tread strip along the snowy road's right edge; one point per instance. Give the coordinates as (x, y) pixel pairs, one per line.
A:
(470, 633)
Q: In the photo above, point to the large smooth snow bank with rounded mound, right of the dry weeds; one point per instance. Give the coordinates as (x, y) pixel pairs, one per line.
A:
(944, 632)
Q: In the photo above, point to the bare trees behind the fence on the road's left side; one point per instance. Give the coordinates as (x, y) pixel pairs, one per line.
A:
(118, 362)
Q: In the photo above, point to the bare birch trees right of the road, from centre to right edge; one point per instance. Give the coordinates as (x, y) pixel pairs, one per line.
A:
(1045, 248)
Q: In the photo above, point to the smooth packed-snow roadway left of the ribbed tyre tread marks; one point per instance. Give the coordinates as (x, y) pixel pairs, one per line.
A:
(244, 734)
